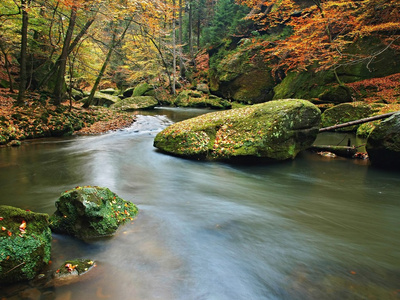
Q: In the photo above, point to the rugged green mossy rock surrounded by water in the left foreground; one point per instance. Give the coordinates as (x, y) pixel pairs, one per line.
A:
(90, 212)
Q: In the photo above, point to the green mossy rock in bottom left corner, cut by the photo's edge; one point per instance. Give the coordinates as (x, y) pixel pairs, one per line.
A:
(25, 244)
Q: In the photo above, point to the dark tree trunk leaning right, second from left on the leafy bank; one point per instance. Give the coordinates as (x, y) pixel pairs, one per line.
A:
(60, 81)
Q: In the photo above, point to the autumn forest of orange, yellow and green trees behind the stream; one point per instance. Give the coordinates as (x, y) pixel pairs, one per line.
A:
(243, 52)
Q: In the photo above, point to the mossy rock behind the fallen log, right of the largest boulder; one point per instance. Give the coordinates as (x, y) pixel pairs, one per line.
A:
(346, 112)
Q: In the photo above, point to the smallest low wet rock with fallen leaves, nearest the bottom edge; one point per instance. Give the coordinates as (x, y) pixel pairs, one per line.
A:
(71, 271)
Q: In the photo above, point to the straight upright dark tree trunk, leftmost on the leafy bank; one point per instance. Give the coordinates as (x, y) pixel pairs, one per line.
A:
(24, 55)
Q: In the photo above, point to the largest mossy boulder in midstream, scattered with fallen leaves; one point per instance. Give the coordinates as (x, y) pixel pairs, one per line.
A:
(276, 130)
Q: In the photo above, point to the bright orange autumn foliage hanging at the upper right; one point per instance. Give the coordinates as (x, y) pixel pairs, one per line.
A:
(322, 30)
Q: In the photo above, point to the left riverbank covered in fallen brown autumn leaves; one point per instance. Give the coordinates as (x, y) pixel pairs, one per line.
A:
(39, 118)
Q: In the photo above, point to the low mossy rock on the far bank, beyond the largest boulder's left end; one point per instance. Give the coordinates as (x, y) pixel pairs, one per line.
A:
(189, 98)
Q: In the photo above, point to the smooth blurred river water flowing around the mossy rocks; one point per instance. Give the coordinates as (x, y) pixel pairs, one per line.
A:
(309, 228)
